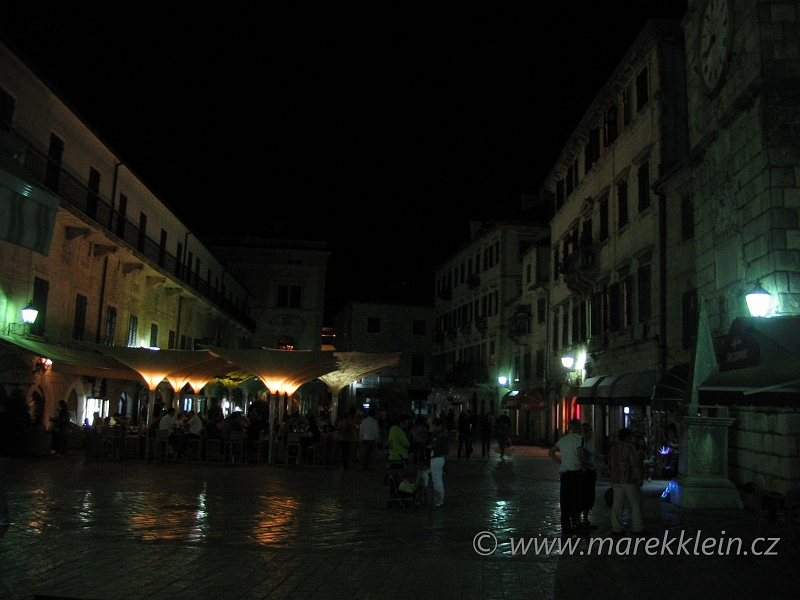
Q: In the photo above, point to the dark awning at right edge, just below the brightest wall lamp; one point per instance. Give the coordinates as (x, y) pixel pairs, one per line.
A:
(759, 364)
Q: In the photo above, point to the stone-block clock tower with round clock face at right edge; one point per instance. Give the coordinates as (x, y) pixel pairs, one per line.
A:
(743, 94)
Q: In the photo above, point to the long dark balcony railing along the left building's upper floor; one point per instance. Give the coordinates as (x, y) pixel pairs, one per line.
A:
(78, 195)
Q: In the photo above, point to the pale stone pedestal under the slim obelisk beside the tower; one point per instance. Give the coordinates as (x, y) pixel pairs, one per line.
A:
(703, 481)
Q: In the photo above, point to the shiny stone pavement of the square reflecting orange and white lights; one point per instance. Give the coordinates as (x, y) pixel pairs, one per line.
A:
(113, 530)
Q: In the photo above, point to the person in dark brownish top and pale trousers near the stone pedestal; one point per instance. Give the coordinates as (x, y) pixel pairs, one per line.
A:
(626, 480)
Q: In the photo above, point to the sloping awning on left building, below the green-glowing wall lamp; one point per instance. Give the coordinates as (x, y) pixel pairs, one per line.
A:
(74, 361)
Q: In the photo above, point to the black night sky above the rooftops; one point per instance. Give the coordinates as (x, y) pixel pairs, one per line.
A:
(383, 128)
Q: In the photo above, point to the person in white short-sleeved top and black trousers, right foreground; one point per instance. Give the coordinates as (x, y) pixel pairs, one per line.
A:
(568, 452)
